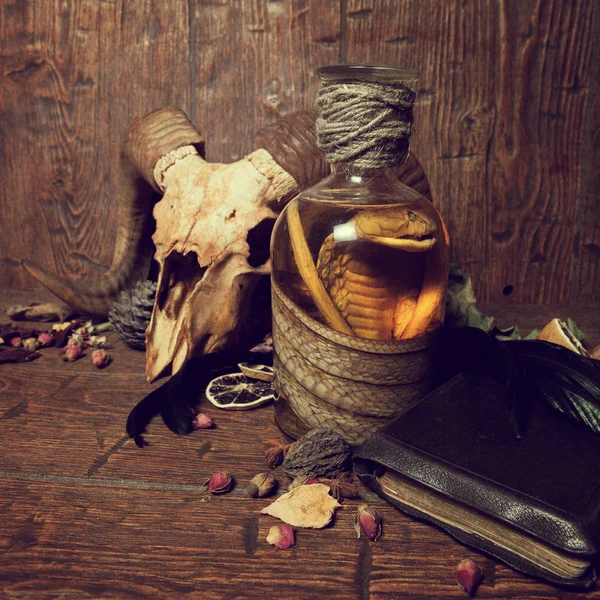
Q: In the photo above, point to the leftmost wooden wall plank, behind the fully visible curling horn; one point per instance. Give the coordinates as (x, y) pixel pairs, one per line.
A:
(74, 74)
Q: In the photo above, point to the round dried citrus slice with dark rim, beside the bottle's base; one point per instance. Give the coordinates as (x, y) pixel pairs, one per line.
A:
(236, 391)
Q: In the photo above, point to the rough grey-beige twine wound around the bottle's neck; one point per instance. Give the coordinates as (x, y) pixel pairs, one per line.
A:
(365, 123)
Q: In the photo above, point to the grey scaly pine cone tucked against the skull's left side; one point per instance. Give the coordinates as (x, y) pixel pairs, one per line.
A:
(130, 315)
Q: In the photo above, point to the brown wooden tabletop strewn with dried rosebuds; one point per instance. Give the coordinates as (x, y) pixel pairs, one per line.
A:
(87, 514)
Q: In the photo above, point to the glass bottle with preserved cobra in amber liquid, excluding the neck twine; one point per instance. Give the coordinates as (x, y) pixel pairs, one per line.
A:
(359, 274)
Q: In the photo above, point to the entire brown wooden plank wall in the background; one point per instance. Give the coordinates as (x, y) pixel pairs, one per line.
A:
(507, 123)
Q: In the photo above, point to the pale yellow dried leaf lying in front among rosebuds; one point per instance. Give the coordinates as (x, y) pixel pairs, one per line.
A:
(304, 506)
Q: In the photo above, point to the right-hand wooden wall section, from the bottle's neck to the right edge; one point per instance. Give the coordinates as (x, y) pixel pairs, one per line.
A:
(500, 129)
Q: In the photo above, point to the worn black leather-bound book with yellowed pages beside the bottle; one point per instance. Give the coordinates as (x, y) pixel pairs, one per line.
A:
(454, 461)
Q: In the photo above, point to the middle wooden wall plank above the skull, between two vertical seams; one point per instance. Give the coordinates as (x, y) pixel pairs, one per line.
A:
(255, 62)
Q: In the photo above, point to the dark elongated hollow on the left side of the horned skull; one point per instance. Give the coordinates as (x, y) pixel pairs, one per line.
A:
(181, 273)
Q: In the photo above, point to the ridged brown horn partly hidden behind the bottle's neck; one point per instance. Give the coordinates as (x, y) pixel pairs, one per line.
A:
(292, 142)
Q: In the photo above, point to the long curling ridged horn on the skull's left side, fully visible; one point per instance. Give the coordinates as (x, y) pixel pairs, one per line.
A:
(147, 140)
